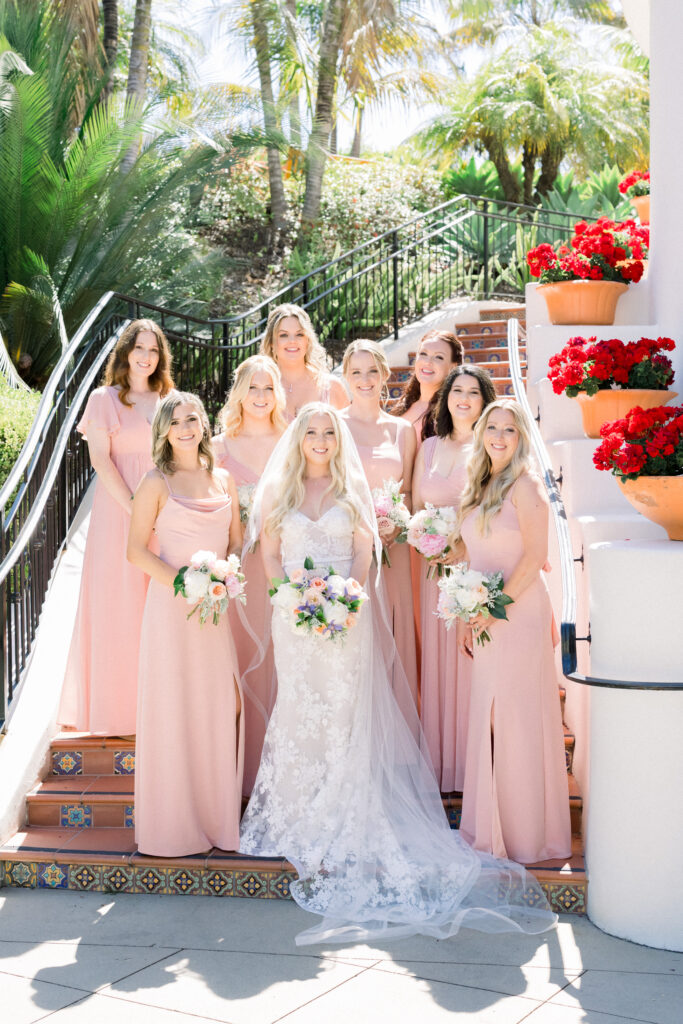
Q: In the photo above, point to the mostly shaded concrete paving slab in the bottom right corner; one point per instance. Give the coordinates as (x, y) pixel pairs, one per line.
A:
(654, 998)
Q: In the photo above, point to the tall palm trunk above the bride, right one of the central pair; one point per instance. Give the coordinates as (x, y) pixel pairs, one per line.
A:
(327, 83)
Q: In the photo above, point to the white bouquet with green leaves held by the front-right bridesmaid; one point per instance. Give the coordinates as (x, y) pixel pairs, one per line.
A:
(467, 593)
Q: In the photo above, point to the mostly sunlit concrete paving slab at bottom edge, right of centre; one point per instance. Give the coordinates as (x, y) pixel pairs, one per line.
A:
(377, 996)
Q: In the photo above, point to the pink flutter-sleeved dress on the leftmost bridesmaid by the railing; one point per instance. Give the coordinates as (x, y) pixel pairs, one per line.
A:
(101, 691)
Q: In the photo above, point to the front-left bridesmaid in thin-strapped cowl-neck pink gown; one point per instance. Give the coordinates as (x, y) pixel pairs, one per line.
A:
(190, 733)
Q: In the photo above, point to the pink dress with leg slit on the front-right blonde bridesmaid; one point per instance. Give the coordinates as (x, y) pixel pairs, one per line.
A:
(516, 801)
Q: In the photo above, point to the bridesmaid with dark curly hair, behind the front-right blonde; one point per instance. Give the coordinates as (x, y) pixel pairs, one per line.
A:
(440, 480)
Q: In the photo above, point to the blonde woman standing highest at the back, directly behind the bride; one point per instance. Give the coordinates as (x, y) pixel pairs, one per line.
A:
(291, 342)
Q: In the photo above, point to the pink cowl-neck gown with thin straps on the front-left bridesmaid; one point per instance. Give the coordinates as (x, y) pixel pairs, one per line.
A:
(189, 753)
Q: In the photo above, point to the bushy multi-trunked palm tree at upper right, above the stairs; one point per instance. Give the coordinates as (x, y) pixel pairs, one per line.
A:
(546, 99)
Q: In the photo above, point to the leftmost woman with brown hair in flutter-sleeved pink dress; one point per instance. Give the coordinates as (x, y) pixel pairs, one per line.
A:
(100, 693)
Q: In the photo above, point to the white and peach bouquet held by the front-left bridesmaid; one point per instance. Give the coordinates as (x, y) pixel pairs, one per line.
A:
(209, 584)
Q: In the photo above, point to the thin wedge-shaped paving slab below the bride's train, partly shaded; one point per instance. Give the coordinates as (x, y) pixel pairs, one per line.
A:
(533, 983)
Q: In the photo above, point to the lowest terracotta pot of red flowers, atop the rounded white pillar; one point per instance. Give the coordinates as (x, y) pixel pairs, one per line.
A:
(646, 452)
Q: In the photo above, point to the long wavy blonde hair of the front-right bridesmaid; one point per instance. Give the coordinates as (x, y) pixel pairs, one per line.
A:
(482, 489)
